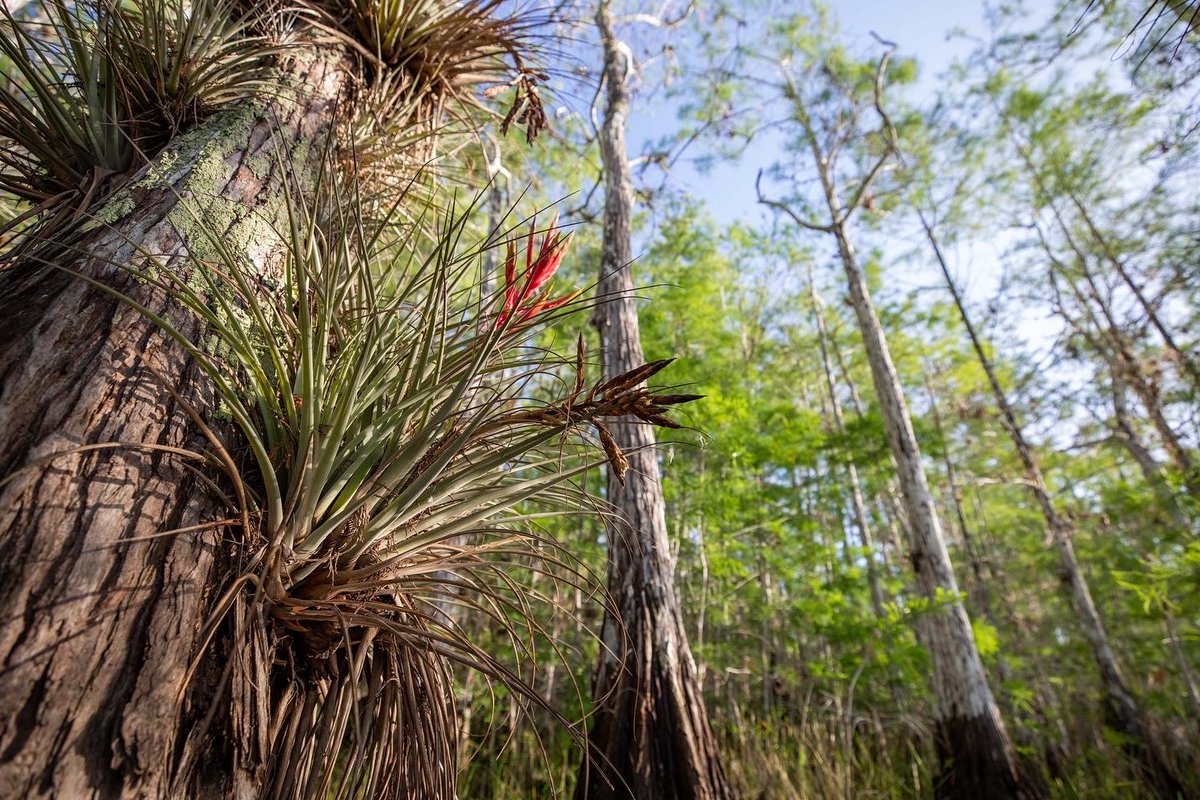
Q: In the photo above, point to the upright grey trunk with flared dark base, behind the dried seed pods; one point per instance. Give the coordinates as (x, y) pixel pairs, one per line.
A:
(651, 736)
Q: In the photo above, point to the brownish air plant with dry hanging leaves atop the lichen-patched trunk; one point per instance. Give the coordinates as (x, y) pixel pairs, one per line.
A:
(433, 69)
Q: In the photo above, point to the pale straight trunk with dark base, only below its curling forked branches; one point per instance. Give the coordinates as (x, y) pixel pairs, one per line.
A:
(976, 757)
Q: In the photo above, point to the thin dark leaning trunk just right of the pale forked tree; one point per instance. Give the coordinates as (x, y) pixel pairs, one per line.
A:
(1121, 709)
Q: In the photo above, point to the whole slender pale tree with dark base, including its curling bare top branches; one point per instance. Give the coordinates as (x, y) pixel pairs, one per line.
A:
(976, 757)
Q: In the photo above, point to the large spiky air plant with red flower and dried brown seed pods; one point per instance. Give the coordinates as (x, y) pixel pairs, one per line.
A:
(397, 472)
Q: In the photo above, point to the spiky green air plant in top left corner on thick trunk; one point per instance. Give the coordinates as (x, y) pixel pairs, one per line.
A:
(93, 91)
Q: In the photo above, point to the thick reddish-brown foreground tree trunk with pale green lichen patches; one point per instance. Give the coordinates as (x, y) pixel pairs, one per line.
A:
(112, 556)
